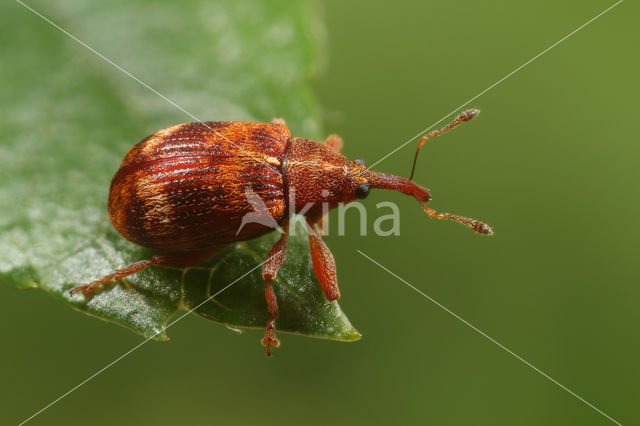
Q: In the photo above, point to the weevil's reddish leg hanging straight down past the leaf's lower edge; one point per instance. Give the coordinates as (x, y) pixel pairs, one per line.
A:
(274, 261)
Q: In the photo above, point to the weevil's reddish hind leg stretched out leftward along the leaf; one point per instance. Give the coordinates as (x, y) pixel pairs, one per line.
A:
(177, 259)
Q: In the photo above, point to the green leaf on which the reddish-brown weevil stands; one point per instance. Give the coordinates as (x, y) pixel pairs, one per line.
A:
(68, 117)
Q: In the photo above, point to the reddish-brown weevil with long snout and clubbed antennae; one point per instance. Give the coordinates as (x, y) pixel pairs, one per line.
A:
(184, 190)
